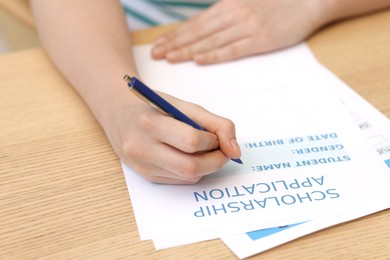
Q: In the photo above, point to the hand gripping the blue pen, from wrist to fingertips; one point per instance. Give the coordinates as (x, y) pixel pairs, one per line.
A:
(165, 150)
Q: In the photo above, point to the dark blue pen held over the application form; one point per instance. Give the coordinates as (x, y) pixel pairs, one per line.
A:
(156, 101)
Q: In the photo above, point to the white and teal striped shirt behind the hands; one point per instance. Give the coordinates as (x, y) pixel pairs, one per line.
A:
(141, 14)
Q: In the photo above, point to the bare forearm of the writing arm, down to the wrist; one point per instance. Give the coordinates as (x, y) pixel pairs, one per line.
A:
(90, 44)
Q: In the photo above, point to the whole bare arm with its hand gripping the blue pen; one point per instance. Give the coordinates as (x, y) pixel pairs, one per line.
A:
(90, 44)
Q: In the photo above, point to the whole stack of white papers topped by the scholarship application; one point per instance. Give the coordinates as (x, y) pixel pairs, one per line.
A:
(306, 166)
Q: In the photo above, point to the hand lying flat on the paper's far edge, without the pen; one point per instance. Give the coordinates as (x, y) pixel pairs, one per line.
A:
(233, 29)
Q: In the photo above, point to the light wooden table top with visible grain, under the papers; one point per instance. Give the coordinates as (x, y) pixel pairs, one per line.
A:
(62, 190)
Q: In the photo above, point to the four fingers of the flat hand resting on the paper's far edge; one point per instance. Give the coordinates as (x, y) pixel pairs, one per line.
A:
(227, 42)
